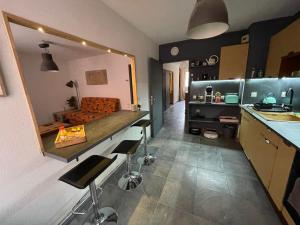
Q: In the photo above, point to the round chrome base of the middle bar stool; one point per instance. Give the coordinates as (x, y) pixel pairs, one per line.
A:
(130, 181)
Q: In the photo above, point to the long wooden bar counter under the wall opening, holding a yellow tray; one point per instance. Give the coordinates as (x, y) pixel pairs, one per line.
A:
(96, 132)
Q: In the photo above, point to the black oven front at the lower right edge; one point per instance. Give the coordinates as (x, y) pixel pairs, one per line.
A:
(292, 195)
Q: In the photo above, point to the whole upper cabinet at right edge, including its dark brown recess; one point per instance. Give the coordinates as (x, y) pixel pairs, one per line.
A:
(283, 57)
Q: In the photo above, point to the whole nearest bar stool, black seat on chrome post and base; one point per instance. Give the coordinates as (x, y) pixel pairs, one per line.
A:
(83, 175)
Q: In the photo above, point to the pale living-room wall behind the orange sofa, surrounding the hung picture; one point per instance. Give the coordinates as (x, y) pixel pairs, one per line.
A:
(117, 75)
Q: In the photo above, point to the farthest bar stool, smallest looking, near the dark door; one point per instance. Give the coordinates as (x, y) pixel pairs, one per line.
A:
(147, 159)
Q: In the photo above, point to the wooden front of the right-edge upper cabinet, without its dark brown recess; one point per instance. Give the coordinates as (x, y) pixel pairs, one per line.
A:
(281, 44)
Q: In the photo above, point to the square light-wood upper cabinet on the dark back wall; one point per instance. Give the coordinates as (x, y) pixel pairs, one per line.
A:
(233, 61)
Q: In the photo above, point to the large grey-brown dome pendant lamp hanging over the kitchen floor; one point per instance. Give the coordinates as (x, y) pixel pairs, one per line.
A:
(209, 19)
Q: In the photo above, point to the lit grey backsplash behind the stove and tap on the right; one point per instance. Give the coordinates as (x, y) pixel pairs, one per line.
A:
(271, 86)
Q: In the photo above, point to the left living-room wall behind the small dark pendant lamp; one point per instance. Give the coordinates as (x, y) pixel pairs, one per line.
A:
(47, 90)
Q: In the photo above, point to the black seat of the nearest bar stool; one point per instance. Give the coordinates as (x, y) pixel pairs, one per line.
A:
(87, 171)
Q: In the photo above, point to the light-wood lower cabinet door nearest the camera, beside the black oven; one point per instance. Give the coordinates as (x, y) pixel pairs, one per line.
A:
(281, 171)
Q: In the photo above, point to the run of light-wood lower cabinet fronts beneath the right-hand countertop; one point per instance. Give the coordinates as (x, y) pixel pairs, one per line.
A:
(271, 157)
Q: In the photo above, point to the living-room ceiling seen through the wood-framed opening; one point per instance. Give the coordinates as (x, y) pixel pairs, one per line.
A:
(27, 40)
